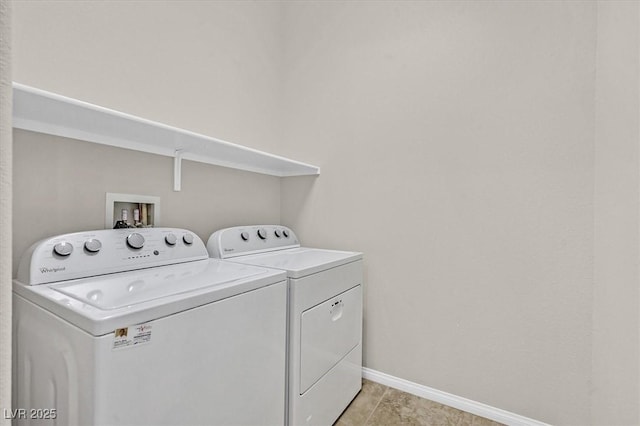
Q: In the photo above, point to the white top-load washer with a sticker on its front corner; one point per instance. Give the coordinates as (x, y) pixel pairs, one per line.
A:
(133, 327)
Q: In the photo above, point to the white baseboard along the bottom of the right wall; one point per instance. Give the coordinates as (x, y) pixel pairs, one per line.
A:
(464, 404)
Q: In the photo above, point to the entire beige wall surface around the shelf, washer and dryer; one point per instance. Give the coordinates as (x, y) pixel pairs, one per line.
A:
(496, 142)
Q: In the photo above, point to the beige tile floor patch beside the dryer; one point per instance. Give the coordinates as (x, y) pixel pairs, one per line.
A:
(379, 405)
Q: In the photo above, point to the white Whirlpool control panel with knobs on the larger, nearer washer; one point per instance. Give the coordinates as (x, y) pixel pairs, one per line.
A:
(106, 251)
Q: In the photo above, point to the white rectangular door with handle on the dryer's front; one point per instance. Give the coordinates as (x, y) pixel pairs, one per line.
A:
(329, 331)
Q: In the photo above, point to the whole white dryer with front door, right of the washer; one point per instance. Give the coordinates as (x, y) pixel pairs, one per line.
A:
(325, 316)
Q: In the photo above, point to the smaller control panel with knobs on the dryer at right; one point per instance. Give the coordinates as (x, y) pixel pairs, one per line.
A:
(243, 240)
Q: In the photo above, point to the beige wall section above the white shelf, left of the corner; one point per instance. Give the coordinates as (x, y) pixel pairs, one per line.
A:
(209, 67)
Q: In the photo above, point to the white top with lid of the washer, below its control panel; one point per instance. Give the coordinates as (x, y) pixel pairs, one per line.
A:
(101, 304)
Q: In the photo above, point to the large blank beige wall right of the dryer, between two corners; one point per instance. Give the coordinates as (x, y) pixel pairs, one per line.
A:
(456, 146)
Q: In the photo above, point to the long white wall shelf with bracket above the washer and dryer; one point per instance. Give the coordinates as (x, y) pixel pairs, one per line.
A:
(45, 112)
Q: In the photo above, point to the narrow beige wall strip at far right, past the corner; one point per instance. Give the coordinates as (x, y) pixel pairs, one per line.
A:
(616, 314)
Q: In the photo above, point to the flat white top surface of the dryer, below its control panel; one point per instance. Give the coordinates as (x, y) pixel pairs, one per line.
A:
(302, 261)
